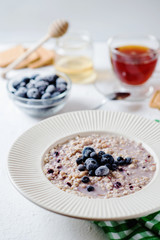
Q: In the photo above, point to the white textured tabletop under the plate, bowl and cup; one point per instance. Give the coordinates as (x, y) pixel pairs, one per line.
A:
(19, 218)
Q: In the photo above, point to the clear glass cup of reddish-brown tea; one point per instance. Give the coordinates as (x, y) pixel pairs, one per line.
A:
(133, 61)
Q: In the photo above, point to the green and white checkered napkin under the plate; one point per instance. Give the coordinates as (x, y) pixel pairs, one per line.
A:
(142, 228)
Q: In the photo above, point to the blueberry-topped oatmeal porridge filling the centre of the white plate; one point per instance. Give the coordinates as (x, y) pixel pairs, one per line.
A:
(102, 166)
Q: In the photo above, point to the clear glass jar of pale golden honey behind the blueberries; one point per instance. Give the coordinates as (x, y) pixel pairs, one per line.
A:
(74, 57)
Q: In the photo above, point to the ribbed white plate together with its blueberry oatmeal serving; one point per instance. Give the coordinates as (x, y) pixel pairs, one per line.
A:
(94, 165)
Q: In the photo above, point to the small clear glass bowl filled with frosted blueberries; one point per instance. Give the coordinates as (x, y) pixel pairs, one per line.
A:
(40, 95)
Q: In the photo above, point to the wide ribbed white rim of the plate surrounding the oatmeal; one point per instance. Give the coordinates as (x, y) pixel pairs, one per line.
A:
(25, 165)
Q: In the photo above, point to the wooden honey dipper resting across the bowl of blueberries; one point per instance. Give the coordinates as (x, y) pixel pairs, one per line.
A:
(56, 30)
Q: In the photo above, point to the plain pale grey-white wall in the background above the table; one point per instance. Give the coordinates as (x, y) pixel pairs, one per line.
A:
(26, 20)
